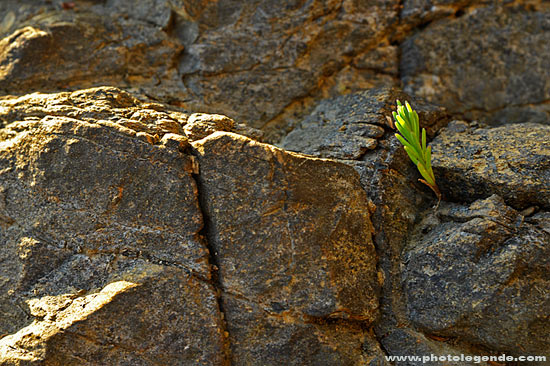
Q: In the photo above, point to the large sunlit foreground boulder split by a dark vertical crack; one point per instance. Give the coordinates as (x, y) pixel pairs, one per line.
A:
(93, 217)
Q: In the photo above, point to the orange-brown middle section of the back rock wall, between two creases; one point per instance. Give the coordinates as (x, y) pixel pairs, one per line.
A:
(271, 54)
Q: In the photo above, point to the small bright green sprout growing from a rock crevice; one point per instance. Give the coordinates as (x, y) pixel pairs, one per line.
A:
(407, 123)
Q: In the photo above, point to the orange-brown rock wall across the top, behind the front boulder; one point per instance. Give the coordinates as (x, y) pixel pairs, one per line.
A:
(267, 64)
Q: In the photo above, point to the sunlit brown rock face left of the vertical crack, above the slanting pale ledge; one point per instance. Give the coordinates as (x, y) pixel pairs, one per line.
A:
(81, 202)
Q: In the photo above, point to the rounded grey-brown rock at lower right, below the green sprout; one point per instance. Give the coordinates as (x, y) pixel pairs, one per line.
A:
(481, 273)
